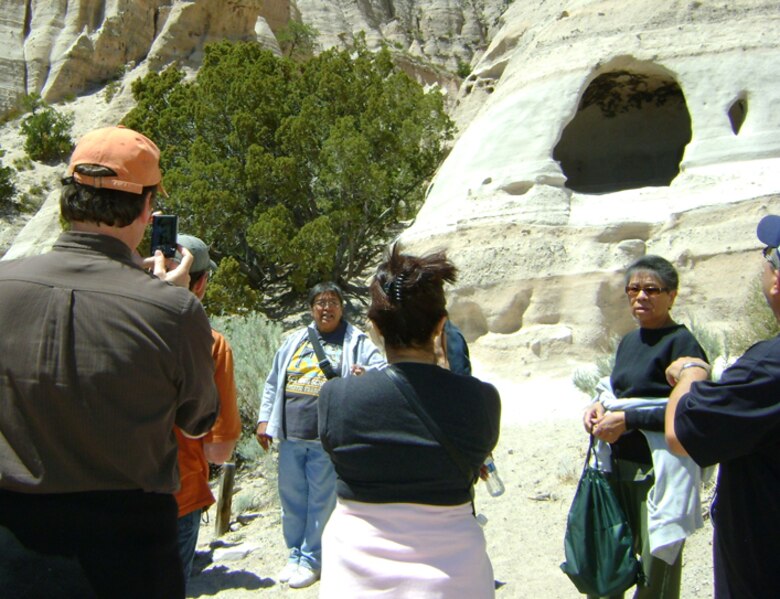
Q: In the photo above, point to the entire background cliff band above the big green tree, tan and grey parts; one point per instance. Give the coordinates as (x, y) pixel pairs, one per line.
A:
(61, 49)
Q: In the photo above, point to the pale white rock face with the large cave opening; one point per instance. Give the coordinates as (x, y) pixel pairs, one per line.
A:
(594, 133)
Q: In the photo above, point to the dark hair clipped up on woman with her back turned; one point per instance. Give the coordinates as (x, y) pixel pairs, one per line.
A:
(407, 297)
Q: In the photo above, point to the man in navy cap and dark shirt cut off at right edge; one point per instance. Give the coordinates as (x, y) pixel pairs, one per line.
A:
(736, 423)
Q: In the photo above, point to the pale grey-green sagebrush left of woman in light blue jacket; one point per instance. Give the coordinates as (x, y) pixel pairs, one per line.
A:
(254, 340)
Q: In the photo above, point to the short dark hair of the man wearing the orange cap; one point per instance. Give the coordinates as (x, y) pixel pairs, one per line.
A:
(115, 208)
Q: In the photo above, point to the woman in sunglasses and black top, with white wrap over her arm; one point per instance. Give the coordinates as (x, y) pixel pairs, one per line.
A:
(630, 418)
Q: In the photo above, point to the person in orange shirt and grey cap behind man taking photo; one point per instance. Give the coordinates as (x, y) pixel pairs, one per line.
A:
(217, 446)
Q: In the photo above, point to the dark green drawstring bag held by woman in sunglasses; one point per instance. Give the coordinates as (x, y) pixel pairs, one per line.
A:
(598, 545)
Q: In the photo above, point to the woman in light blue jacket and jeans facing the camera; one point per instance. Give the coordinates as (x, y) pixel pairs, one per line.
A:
(329, 347)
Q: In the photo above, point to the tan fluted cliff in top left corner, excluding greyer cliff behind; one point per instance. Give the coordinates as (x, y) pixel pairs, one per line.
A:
(61, 49)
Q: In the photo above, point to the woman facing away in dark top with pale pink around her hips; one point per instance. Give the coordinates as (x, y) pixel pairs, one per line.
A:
(404, 524)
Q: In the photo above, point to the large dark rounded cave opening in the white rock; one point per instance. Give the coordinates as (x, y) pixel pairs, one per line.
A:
(630, 131)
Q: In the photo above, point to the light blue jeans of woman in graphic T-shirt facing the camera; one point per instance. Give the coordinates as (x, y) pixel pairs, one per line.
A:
(307, 489)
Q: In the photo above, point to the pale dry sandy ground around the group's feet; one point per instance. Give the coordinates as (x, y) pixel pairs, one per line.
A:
(539, 456)
